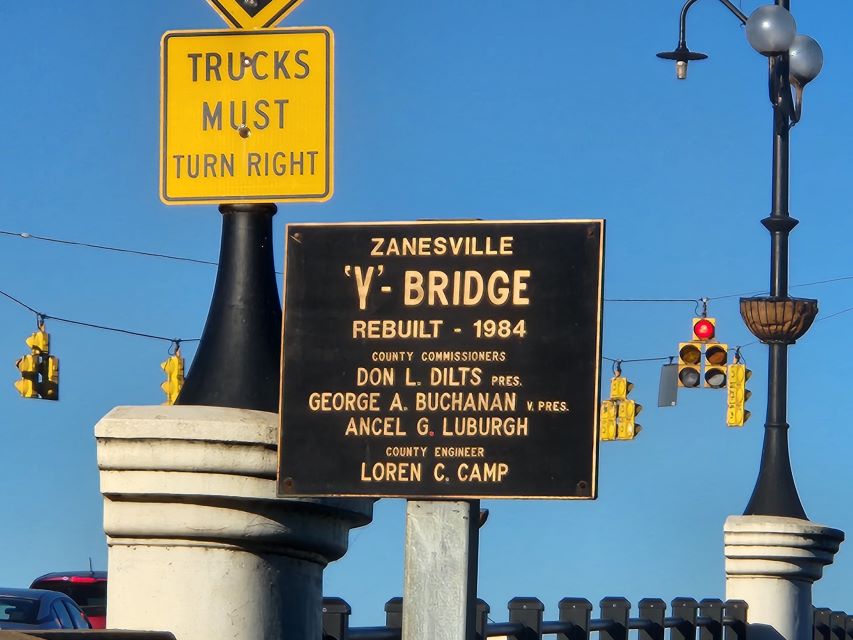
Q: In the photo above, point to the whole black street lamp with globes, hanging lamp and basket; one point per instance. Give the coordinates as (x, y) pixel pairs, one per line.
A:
(777, 320)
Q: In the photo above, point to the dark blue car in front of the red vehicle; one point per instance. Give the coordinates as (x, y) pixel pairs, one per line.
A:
(39, 609)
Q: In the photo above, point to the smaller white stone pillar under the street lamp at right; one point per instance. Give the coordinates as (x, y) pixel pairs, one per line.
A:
(771, 563)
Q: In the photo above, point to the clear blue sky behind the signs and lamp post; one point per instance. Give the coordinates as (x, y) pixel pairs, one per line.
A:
(545, 109)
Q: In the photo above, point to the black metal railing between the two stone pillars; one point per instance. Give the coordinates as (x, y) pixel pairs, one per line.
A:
(713, 619)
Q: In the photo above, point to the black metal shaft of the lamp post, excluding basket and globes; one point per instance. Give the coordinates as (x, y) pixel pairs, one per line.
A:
(775, 493)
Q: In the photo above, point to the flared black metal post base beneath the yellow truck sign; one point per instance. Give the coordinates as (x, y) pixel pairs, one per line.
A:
(237, 363)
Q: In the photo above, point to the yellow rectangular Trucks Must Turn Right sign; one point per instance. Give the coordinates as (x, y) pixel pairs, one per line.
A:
(247, 116)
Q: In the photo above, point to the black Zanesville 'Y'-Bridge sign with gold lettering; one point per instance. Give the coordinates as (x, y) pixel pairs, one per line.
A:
(441, 359)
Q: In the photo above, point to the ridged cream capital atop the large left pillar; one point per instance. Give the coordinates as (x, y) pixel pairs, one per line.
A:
(208, 475)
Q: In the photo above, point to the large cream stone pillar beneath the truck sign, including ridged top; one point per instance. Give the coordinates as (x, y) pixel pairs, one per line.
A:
(199, 544)
